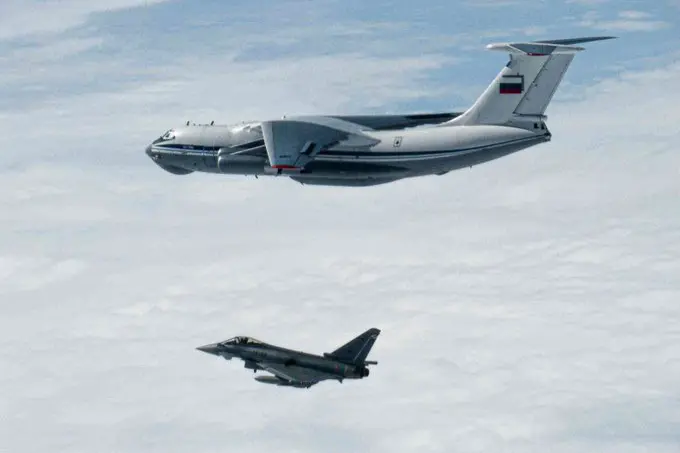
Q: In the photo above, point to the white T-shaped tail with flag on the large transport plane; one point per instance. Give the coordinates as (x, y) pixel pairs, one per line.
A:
(521, 92)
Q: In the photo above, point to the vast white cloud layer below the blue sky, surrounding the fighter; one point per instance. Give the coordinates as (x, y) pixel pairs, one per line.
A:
(528, 304)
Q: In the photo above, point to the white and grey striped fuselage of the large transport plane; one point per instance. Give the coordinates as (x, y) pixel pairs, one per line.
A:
(402, 153)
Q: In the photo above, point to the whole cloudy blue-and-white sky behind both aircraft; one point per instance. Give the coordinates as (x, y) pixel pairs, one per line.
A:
(529, 304)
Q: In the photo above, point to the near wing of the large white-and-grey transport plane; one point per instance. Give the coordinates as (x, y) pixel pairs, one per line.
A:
(292, 143)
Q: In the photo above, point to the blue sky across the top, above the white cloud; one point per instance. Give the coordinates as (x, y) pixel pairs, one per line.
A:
(133, 46)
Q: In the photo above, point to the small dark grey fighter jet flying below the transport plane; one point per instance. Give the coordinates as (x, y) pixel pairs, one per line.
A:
(295, 368)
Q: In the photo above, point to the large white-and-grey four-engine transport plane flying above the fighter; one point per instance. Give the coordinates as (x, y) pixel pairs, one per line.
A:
(366, 150)
